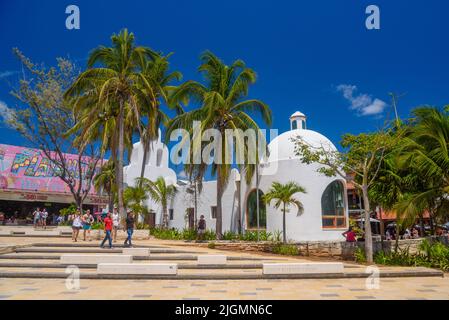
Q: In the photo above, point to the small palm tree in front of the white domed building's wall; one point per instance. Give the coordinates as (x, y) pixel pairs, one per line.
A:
(283, 194)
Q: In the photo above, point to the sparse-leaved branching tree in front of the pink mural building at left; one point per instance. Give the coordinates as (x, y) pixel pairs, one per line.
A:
(42, 117)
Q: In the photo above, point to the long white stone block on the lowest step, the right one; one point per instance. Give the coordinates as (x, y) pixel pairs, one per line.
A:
(303, 268)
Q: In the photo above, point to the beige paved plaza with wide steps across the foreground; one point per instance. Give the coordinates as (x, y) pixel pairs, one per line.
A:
(42, 258)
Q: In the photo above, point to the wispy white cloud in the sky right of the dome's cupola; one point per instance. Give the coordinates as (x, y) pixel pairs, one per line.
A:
(363, 104)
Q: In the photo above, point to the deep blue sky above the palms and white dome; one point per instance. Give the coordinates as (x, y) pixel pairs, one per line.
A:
(313, 56)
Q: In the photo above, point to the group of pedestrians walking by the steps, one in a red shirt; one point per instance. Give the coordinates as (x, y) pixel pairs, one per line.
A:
(111, 225)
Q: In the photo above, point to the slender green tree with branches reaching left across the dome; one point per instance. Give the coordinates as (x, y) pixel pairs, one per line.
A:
(361, 160)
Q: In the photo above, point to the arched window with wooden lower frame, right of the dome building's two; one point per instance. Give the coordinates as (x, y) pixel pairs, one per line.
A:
(333, 206)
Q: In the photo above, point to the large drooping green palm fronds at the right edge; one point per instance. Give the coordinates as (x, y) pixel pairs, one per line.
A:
(426, 151)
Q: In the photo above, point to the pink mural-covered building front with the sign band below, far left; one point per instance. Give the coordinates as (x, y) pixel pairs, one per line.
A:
(28, 180)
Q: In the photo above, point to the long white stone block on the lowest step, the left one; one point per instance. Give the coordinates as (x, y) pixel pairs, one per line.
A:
(138, 268)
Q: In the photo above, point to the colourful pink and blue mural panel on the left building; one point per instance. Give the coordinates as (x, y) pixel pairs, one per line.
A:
(29, 169)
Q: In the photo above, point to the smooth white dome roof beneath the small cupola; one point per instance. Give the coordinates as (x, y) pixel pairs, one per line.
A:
(283, 148)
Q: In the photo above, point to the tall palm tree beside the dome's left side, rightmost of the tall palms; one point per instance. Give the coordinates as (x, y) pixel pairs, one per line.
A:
(222, 107)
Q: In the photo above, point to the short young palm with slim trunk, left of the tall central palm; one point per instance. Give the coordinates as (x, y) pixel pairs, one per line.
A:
(160, 192)
